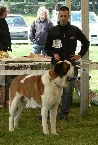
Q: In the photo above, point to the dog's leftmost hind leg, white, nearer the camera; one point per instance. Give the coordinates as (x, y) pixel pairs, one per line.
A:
(12, 110)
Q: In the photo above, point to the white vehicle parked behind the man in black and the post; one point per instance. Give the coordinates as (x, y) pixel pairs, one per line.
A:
(76, 20)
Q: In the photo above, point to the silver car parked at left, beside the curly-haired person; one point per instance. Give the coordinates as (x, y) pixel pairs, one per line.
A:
(18, 28)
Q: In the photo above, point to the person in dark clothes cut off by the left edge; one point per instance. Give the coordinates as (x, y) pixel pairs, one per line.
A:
(5, 39)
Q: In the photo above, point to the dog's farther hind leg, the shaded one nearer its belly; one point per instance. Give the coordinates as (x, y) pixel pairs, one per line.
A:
(21, 106)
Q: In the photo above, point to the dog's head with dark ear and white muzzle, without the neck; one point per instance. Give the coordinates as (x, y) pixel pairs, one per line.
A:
(63, 68)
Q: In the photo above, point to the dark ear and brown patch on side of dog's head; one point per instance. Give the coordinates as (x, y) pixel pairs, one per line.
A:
(61, 68)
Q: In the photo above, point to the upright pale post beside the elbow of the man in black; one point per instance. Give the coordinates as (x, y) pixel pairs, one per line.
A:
(84, 83)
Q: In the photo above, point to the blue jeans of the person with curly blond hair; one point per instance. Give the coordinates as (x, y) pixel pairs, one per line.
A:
(38, 48)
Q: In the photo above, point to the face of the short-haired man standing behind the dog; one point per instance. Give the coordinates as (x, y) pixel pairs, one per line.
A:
(63, 17)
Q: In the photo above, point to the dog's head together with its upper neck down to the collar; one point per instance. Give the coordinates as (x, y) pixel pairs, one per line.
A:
(61, 73)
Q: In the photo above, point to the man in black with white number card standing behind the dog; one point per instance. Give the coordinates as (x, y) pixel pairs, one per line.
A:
(61, 45)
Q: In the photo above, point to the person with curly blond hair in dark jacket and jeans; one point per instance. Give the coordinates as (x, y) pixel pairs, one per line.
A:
(39, 30)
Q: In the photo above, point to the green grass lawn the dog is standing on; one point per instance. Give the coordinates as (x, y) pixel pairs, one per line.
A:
(77, 130)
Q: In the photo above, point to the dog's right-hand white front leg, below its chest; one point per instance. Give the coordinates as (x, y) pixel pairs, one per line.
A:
(53, 113)
